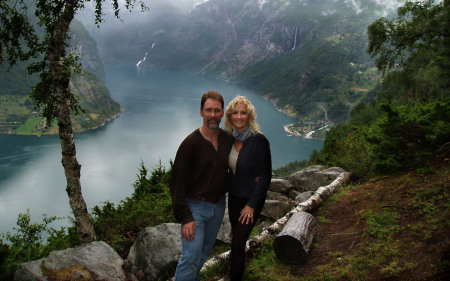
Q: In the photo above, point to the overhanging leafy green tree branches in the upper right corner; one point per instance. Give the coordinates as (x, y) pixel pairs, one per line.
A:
(415, 43)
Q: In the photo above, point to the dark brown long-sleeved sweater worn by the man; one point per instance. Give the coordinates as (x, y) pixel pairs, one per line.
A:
(199, 170)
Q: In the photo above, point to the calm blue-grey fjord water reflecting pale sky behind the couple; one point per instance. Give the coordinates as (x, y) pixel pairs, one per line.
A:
(161, 108)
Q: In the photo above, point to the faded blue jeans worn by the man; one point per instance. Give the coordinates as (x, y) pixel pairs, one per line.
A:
(208, 218)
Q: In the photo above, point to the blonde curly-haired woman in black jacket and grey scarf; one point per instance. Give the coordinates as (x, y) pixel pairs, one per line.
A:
(251, 165)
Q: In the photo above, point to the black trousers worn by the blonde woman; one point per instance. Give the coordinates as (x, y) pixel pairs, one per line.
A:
(240, 232)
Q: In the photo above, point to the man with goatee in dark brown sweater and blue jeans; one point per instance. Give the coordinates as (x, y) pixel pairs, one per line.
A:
(198, 185)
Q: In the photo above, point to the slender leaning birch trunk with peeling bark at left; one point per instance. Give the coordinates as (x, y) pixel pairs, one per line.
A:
(72, 168)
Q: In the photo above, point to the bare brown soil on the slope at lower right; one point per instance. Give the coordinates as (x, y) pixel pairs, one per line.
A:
(344, 234)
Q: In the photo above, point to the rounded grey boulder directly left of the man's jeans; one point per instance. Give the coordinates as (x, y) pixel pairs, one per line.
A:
(155, 253)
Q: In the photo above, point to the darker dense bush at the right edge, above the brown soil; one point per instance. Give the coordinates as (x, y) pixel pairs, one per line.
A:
(406, 136)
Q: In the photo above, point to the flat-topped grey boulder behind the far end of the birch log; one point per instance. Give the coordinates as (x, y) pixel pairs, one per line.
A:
(313, 177)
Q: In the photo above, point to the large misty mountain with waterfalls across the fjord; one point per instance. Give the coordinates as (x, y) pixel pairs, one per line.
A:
(307, 56)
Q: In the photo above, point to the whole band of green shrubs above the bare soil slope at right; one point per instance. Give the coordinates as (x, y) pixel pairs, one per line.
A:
(400, 138)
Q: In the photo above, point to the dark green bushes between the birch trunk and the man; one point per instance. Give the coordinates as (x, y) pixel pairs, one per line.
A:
(150, 205)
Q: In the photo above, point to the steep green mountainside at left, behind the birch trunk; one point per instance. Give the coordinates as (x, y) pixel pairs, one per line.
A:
(17, 114)
